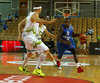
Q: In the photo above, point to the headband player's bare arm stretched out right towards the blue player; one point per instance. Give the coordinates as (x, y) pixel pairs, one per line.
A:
(36, 18)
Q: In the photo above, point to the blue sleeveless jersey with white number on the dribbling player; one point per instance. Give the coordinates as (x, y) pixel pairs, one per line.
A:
(67, 35)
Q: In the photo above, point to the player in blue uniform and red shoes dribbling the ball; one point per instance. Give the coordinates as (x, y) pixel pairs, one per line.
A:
(65, 41)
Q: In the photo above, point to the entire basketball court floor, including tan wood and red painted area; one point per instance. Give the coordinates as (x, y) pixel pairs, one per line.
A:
(9, 63)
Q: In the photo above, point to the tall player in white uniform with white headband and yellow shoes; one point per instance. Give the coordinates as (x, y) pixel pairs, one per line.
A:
(31, 24)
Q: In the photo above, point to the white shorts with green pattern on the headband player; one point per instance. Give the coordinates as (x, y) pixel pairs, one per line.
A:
(32, 43)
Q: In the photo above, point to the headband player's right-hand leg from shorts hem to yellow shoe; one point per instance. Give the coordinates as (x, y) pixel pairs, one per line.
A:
(43, 50)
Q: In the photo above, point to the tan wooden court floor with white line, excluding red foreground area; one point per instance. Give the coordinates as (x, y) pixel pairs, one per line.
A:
(9, 63)
